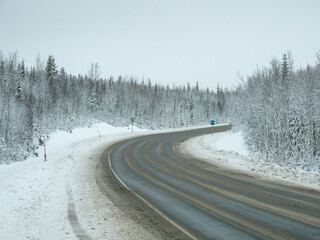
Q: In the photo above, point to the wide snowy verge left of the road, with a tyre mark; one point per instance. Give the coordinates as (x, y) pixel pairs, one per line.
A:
(35, 195)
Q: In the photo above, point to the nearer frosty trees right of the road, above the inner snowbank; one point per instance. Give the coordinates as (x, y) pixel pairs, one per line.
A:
(280, 112)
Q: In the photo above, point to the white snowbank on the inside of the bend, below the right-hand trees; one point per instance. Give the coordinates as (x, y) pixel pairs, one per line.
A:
(228, 150)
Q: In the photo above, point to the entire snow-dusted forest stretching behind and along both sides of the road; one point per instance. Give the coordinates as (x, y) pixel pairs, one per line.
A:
(276, 107)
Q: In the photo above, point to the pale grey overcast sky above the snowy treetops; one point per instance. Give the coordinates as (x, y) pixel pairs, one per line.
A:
(168, 41)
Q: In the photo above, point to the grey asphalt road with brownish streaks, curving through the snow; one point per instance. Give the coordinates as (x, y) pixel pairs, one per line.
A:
(207, 202)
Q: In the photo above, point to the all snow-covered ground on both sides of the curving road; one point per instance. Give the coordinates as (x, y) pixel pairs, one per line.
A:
(39, 200)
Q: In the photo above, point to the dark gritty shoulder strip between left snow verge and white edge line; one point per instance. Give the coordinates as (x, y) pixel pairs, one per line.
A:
(128, 202)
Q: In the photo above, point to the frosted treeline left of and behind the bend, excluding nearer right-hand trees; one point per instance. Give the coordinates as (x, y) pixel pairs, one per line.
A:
(37, 100)
